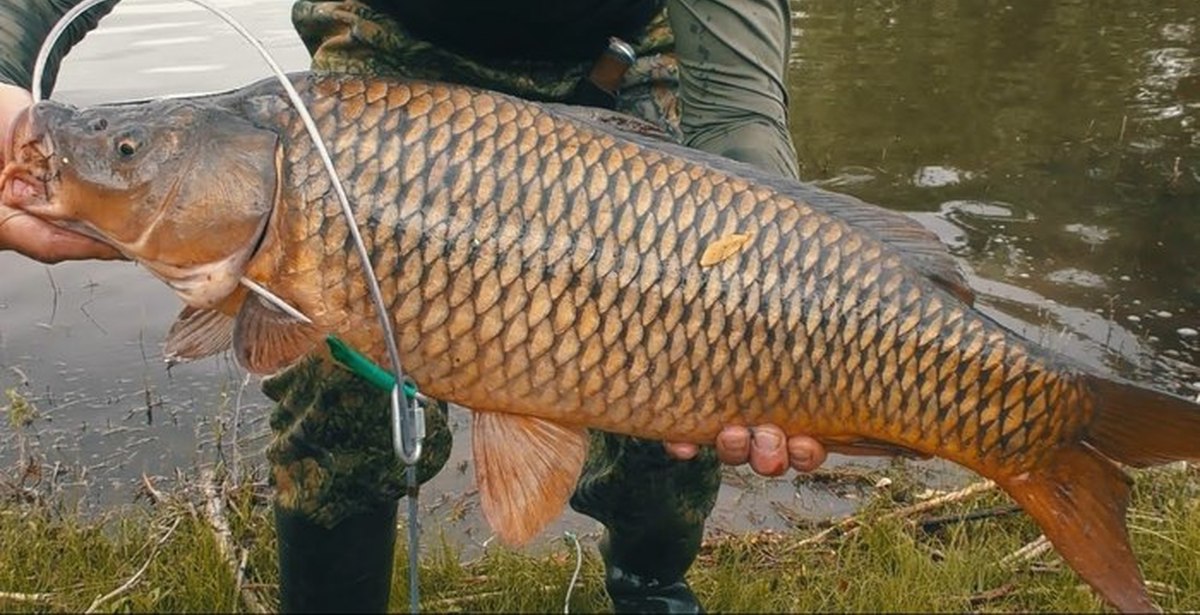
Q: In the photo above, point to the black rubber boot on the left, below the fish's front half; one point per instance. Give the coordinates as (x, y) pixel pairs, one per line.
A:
(341, 570)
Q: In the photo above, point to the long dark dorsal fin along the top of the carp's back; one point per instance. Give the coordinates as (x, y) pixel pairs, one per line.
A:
(921, 247)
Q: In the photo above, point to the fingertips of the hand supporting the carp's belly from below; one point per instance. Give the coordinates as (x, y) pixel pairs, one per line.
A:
(765, 447)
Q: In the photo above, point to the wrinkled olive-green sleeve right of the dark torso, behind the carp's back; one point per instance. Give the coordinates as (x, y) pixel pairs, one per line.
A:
(733, 69)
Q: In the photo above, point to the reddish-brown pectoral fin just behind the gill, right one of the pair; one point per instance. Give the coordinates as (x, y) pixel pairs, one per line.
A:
(266, 341)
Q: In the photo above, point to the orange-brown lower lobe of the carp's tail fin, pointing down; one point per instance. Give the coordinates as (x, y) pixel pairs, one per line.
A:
(1079, 500)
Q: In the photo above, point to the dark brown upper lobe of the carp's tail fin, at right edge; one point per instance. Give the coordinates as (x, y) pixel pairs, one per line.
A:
(1141, 427)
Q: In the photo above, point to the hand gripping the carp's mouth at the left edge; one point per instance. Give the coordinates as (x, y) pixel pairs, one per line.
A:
(29, 235)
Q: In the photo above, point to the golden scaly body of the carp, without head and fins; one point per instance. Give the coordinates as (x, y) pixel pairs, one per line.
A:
(533, 266)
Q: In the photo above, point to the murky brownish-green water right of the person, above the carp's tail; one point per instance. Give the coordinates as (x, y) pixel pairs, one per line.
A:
(1060, 139)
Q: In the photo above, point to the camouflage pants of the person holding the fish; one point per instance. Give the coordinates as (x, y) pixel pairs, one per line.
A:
(332, 455)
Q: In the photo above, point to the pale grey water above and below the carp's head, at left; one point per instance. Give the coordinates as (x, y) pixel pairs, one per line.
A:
(83, 341)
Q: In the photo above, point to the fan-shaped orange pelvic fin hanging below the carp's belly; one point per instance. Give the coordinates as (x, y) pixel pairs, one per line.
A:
(526, 469)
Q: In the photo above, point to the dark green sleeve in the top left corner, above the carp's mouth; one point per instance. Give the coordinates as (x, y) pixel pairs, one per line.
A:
(25, 25)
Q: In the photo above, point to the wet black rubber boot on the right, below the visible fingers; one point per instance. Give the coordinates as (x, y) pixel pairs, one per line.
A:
(646, 574)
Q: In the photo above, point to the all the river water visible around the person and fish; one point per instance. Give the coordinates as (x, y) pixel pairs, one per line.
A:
(1052, 145)
